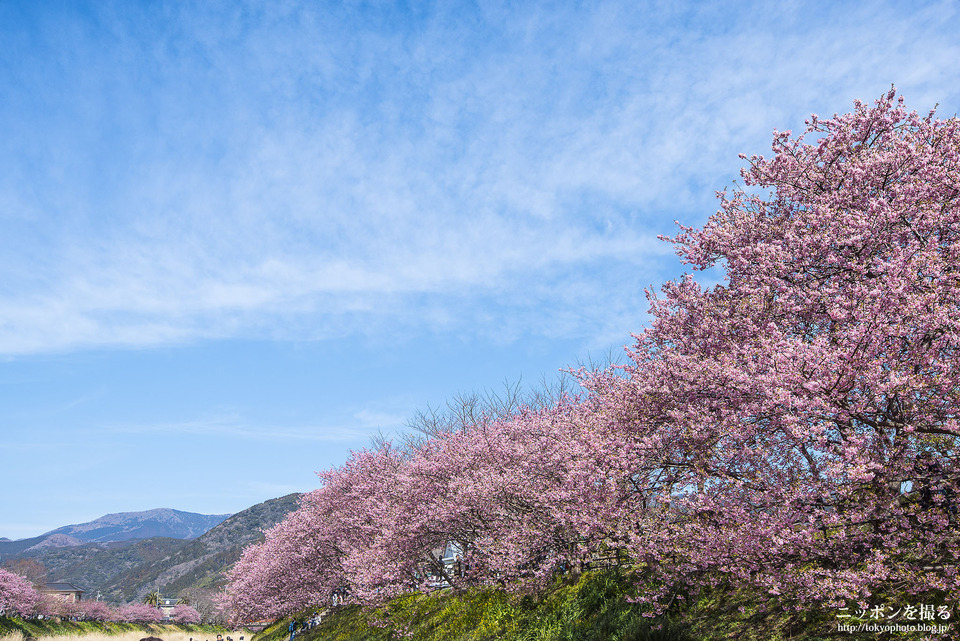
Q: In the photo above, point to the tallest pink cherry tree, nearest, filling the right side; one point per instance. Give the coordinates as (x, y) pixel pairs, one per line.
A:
(788, 409)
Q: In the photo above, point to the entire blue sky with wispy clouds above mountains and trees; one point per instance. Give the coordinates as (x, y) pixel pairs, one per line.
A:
(239, 239)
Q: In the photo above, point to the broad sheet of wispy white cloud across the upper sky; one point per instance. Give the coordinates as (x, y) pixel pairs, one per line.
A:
(302, 171)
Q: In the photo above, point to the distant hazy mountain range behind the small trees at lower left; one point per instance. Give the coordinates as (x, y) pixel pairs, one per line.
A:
(125, 556)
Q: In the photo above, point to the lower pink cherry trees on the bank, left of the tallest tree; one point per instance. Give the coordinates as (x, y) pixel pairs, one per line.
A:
(515, 498)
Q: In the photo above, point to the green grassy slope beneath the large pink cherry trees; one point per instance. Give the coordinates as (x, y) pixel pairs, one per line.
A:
(595, 607)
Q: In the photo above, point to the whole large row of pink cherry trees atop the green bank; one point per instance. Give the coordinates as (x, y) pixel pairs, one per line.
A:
(792, 431)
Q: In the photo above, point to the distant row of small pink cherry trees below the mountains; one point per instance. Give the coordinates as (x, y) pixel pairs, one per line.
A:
(19, 598)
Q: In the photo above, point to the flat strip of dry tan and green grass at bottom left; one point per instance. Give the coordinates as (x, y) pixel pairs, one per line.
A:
(18, 630)
